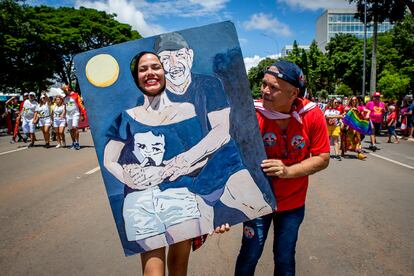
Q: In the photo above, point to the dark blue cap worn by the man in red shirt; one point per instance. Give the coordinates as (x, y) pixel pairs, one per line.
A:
(288, 71)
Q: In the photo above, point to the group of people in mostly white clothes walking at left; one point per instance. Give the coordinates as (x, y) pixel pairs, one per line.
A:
(51, 114)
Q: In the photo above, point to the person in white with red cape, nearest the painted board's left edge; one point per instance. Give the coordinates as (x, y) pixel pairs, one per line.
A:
(74, 112)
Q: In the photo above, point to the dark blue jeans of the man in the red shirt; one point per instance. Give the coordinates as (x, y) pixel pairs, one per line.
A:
(286, 228)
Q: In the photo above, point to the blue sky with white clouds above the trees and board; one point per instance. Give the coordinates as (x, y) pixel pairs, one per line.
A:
(264, 27)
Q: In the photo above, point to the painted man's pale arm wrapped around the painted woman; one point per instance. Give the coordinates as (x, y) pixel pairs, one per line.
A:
(196, 157)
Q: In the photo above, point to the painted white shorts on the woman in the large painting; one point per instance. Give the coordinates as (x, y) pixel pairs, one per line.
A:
(150, 212)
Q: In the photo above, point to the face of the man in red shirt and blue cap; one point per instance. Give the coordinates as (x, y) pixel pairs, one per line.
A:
(277, 94)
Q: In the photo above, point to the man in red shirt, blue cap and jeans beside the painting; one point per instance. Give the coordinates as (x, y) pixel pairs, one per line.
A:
(296, 141)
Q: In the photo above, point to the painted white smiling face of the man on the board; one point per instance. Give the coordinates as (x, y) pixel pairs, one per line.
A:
(177, 65)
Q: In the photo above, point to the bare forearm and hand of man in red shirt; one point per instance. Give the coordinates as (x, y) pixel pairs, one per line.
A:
(314, 164)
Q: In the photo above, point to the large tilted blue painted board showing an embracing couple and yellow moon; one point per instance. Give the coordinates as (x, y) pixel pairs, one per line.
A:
(198, 167)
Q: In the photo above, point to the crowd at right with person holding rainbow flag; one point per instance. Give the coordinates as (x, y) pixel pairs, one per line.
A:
(350, 120)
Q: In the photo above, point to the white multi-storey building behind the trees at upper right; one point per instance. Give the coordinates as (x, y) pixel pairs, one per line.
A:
(335, 21)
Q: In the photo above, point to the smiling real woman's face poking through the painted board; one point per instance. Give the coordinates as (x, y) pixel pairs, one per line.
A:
(151, 77)
